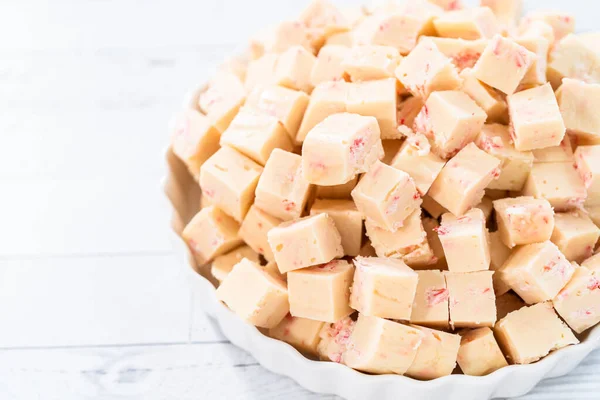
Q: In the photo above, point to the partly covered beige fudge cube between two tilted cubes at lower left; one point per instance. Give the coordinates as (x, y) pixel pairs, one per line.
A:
(254, 230)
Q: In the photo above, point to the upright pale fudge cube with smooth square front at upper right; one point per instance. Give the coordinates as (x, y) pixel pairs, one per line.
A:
(535, 119)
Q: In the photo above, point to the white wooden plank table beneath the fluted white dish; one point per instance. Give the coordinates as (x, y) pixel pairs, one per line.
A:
(92, 305)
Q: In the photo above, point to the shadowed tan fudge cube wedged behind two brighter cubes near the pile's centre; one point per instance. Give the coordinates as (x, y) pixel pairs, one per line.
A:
(347, 219)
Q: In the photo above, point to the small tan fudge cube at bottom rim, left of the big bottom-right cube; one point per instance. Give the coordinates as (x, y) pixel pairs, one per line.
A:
(479, 353)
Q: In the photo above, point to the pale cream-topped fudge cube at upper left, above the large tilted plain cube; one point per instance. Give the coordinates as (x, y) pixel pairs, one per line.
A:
(256, 135)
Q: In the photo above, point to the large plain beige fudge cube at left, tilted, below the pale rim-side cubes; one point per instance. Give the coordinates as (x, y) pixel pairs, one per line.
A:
(229, 179)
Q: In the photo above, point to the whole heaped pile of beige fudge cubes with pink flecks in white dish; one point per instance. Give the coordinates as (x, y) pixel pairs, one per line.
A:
(404, 187)
